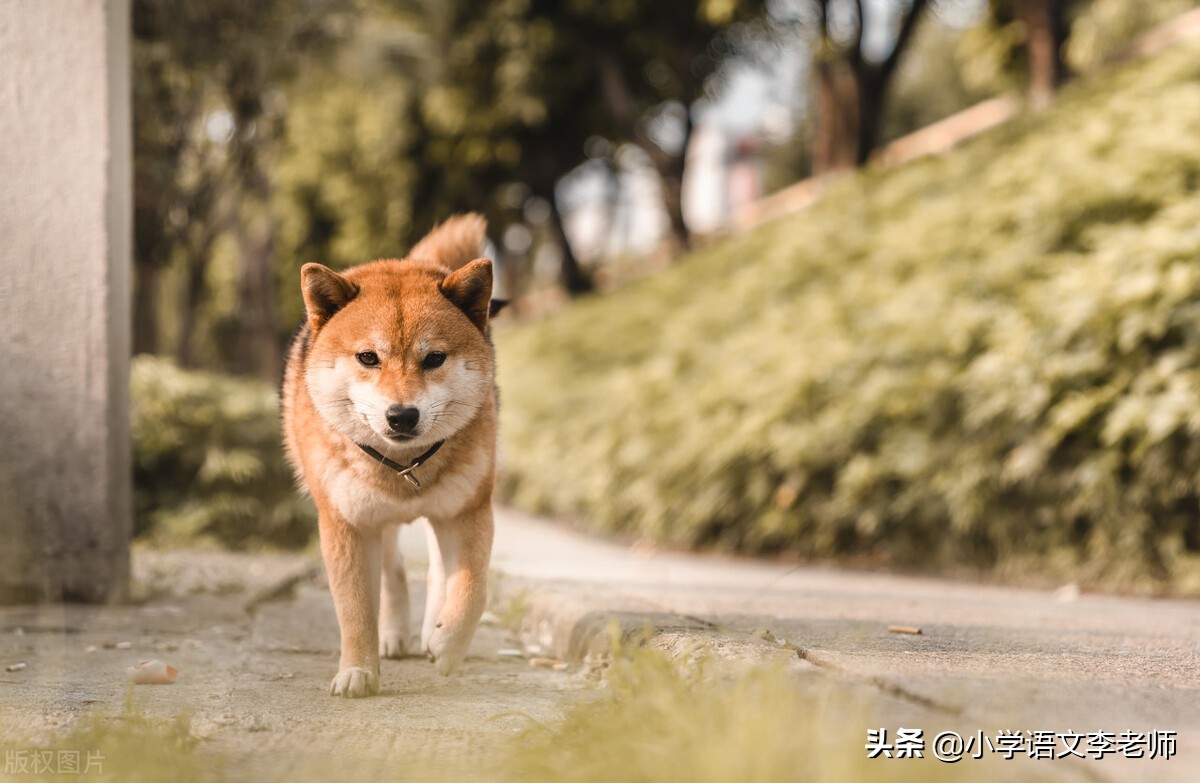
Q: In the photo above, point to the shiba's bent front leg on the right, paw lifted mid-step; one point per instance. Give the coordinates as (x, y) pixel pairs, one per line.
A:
(466, 546)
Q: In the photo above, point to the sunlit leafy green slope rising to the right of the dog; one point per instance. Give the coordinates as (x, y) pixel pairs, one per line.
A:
(989, 360)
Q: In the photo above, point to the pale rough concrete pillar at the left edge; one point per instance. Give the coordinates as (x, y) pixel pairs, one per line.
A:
(65, 278)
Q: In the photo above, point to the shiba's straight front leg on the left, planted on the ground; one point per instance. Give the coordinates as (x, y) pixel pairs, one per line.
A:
(352, 564)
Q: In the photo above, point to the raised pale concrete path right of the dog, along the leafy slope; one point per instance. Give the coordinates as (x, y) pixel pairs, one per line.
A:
(987, 659)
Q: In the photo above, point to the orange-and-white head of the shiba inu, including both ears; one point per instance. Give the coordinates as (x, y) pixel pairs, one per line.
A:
(399, 354)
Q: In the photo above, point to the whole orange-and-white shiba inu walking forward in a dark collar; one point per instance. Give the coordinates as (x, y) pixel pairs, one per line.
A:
(389, 415)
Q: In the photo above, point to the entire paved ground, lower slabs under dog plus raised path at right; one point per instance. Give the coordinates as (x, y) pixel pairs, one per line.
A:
(256, 642)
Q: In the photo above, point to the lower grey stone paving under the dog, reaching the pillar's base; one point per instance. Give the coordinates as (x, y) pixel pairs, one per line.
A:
(256, 642)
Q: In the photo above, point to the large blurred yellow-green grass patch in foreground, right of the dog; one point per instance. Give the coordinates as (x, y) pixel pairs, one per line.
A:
(706, 721)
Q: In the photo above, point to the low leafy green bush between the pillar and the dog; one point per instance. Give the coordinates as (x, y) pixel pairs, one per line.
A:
(209, 464)
